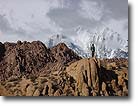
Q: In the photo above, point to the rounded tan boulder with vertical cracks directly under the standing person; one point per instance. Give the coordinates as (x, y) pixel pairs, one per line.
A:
(85, 72)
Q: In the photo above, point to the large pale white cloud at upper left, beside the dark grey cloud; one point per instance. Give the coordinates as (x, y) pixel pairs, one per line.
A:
(30, 16)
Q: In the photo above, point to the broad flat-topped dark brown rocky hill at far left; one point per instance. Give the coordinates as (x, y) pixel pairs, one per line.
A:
(24, 58)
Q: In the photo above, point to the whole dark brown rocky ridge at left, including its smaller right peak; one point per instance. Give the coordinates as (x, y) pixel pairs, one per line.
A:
(33, 59)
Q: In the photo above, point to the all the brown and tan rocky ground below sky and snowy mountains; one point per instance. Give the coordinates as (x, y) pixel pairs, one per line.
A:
(32, 69)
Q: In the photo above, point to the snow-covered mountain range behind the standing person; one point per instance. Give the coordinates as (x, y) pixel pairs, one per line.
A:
(108, 43)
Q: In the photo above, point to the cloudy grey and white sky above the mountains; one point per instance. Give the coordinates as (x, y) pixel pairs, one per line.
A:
(38, 19)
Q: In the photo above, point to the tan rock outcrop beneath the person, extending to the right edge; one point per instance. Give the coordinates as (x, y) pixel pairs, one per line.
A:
(97, 80)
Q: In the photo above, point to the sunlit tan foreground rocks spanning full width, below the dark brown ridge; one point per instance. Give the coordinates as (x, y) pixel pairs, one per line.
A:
(81, 78)
